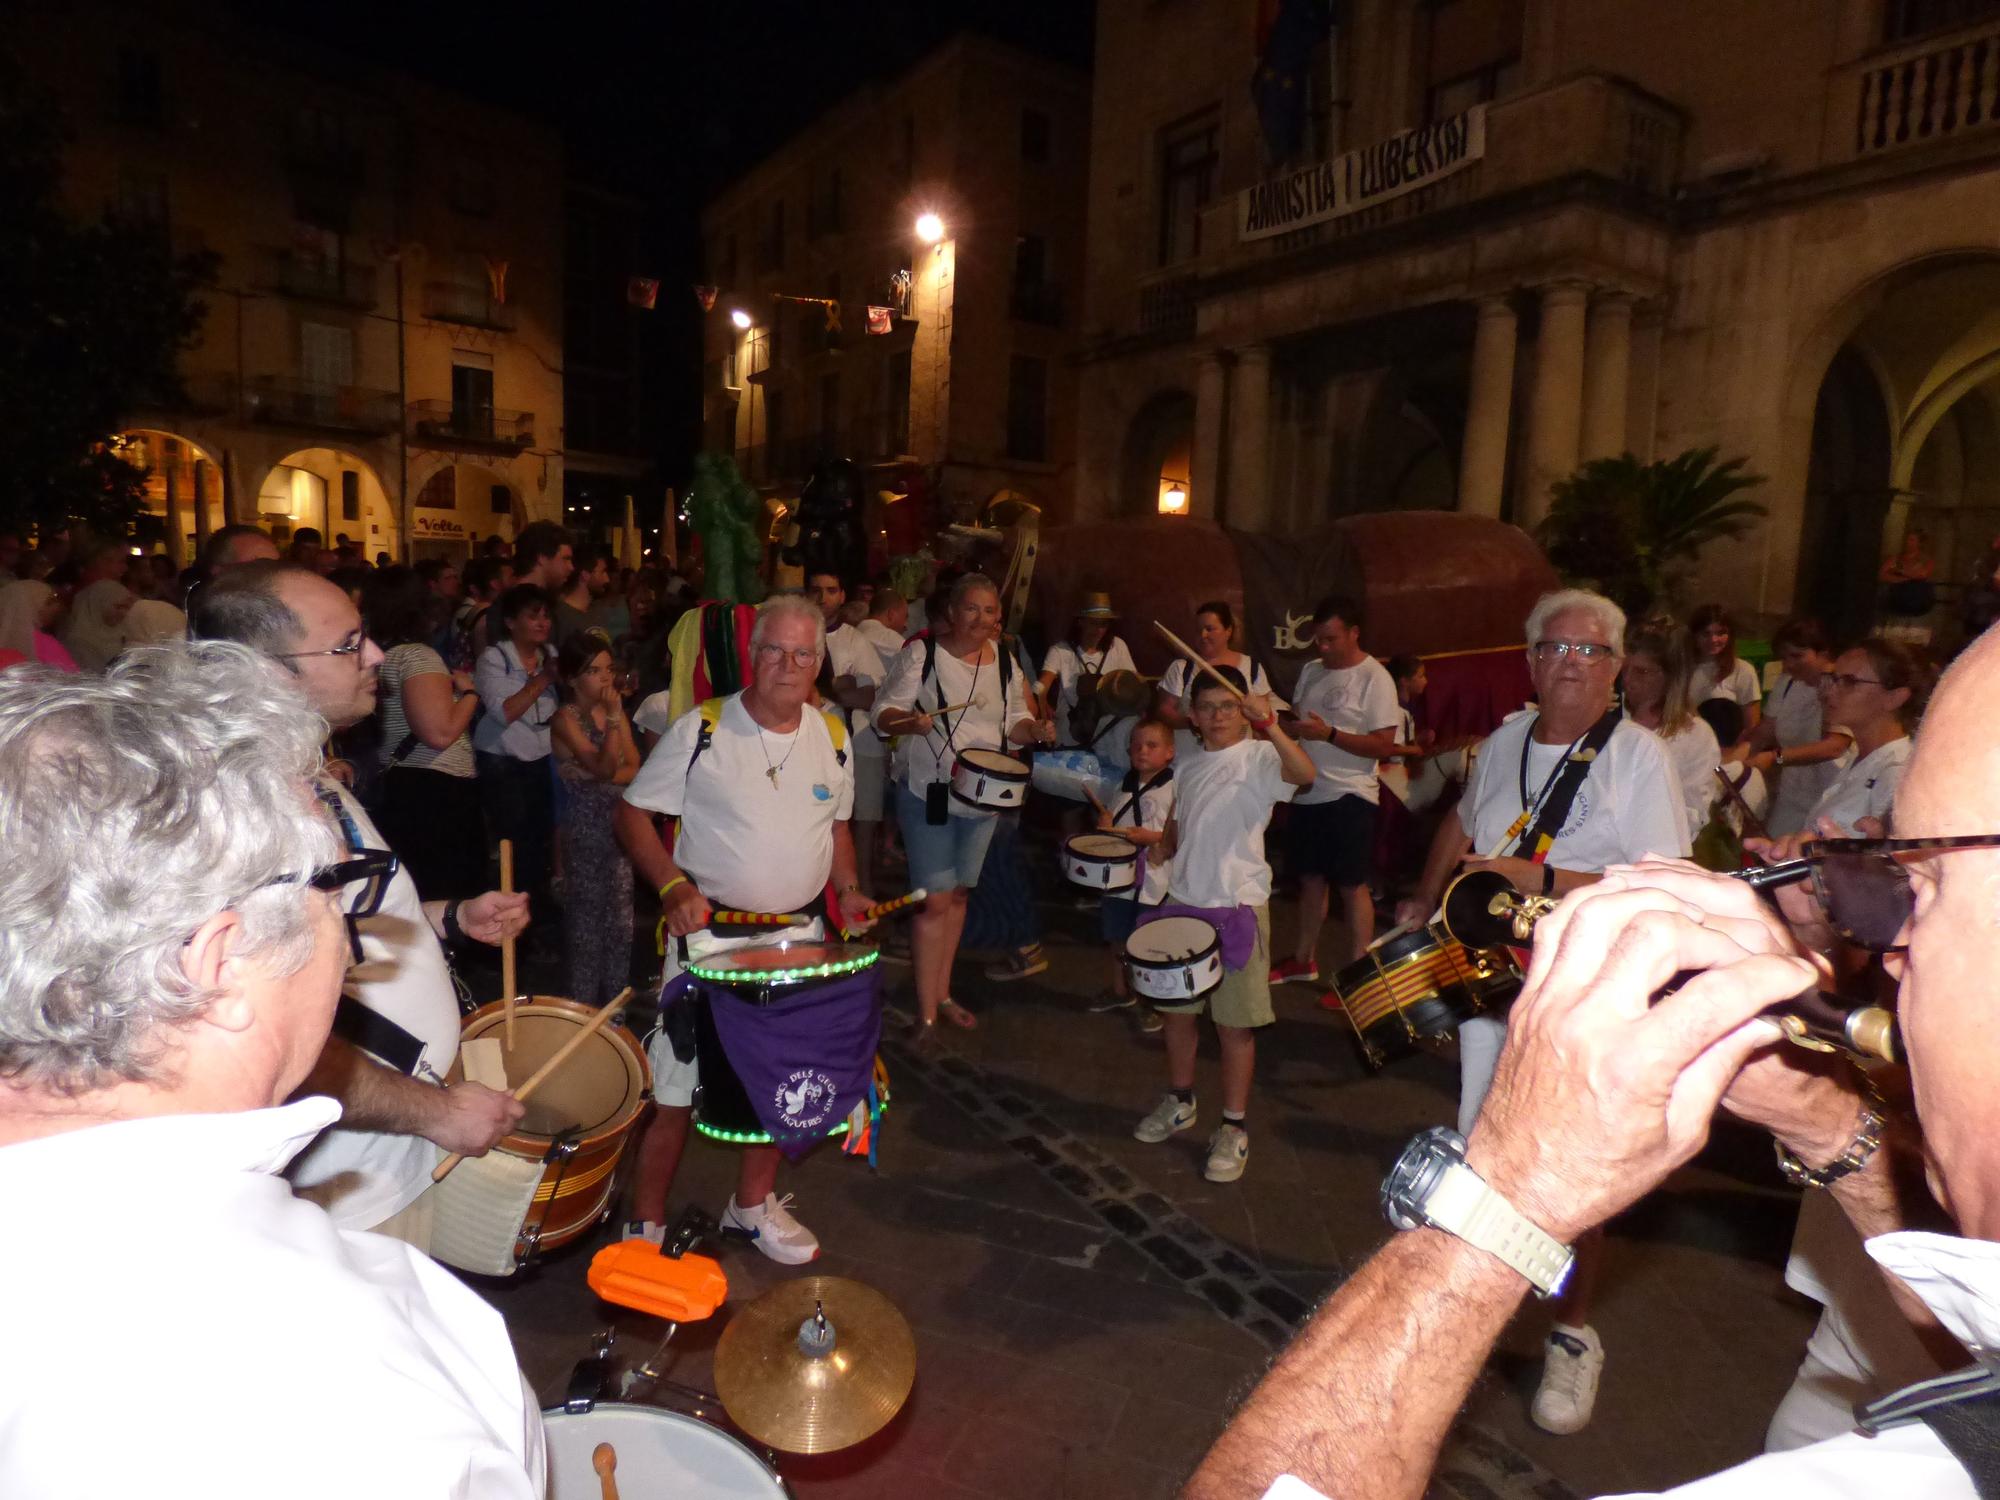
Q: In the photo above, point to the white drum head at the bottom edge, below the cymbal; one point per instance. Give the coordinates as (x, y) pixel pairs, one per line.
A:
(659, 1455)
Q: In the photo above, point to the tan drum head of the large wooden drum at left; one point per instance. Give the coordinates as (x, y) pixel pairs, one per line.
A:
(597, 1091)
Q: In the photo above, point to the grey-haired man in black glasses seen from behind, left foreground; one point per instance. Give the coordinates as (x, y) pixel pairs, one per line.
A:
(171, 953)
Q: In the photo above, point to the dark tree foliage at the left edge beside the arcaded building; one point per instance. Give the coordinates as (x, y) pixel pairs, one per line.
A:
(93, 321)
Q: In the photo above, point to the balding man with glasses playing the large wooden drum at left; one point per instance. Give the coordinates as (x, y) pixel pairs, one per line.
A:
(397, 1029)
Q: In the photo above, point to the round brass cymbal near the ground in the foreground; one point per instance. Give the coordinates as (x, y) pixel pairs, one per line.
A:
(807, 1385)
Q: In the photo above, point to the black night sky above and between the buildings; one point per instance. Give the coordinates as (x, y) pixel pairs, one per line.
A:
(669, 103)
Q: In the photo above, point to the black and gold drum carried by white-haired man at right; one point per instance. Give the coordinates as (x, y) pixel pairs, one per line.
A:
(1417, 987)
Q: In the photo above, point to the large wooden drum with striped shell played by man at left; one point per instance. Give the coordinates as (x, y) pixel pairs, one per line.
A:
(551, 1179)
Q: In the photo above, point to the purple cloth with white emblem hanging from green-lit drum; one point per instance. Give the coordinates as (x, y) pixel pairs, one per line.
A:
(807, 1059)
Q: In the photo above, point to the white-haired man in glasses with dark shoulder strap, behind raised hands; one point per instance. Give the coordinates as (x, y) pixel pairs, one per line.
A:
(1563, 789)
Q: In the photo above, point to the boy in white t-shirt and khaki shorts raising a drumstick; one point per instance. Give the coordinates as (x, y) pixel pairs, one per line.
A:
(1223, 801)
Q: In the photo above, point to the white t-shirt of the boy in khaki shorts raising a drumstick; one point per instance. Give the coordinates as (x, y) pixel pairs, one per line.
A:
(1223, 803)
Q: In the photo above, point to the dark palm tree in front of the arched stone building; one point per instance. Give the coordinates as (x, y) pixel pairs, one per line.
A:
(1635, 531)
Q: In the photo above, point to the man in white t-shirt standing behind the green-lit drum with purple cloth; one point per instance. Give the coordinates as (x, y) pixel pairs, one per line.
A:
(763, 791)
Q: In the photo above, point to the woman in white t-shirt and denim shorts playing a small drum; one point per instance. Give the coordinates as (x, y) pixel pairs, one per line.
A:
(947, 839)
